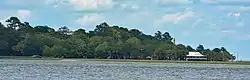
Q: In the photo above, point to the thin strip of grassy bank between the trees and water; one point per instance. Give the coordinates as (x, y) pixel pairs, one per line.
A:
(127, 60)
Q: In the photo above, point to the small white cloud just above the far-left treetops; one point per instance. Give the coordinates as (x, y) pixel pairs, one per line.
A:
(23, 14)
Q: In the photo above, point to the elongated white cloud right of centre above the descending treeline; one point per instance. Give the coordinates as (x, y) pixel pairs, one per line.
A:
(177, 17)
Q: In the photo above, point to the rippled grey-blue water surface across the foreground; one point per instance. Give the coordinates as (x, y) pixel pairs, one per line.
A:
(86, 70)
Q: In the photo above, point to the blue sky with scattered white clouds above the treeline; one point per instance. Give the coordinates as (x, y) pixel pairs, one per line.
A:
(212, 23)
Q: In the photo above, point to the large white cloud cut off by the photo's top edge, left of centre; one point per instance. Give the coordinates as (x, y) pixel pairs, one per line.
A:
(92, 4)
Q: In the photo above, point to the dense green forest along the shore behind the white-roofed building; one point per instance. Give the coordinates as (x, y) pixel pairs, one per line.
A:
(21, 39)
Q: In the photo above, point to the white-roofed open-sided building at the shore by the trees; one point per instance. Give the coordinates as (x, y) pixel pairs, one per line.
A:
(195, 56)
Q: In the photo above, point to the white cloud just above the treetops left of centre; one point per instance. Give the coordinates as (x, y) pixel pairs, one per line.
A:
(90, 20)
